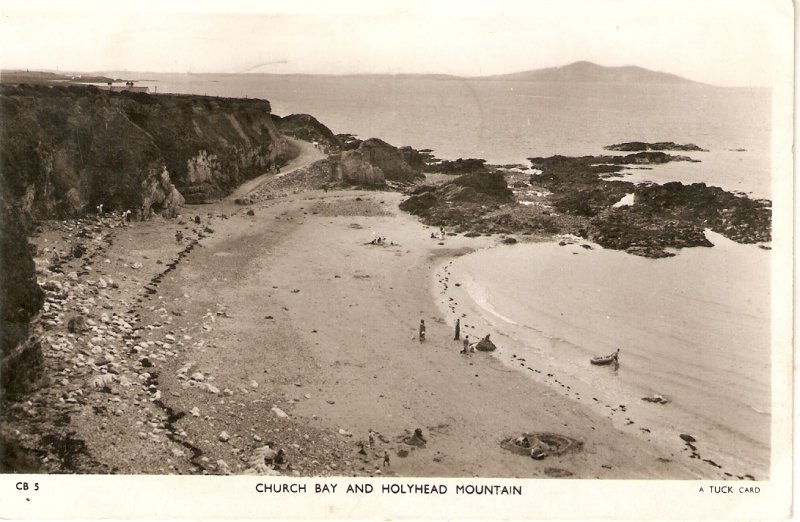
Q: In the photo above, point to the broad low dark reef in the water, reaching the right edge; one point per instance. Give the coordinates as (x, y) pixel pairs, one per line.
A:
(672, 215)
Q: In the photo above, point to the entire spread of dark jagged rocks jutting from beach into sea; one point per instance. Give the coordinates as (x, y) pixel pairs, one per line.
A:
(571, 195)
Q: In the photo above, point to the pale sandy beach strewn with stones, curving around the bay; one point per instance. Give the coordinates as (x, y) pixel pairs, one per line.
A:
(278, 324)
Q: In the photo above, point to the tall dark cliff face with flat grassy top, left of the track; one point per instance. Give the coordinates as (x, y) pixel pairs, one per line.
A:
(66, 150)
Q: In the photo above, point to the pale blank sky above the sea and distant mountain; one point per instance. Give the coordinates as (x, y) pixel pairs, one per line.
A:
(722, 42)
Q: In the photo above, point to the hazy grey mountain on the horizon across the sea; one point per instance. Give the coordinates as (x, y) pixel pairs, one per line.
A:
(588, 72)
